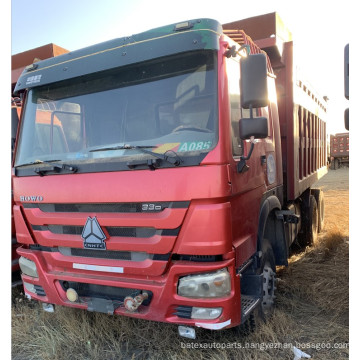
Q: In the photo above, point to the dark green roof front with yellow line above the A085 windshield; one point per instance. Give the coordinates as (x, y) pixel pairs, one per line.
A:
(181, 37)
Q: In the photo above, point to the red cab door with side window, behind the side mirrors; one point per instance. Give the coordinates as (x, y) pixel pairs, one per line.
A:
(249, 182)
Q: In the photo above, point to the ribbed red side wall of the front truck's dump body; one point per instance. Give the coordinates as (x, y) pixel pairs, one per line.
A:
(303, 130)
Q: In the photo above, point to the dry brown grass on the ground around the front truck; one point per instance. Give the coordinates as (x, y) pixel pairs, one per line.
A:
(312, 309)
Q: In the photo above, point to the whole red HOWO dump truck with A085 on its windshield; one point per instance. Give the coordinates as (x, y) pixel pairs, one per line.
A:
(172, 174)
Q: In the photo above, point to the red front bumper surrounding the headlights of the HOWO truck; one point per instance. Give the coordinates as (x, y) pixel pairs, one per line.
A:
(164, 304)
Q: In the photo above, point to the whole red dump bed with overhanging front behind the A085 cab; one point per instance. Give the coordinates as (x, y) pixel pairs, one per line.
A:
(301, 110)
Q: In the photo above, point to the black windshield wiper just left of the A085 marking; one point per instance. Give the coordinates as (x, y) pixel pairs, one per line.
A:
(174, 160)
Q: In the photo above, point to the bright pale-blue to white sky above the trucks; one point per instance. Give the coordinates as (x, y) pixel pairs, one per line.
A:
(320, 30)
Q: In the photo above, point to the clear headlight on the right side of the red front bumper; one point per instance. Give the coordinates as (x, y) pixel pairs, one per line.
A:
(213, 285)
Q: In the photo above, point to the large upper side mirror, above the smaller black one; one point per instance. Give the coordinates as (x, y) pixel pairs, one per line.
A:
(253, 81)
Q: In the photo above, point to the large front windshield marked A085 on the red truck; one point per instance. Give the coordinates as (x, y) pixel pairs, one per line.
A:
(167, 105)
